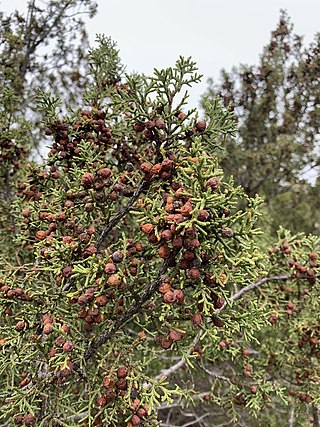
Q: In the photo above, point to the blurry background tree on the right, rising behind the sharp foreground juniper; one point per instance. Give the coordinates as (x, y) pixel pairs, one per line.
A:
(276, 105)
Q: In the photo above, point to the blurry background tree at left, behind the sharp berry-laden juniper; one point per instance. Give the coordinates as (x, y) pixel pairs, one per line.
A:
(45, 49)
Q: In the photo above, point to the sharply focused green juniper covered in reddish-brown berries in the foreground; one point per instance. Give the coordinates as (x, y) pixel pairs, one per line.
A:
(136, 285)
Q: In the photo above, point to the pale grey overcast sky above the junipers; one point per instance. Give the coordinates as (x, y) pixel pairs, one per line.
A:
(216, 33)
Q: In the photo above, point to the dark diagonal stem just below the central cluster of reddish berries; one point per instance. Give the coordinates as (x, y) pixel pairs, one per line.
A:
(132, 311)
